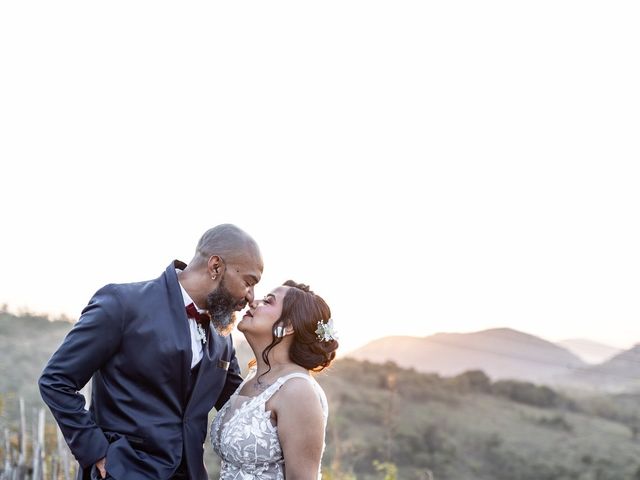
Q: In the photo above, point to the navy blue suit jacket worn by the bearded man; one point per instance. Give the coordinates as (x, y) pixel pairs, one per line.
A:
(134, 340)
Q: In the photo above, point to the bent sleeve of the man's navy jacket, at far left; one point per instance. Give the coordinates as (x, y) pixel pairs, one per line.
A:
(93, 340)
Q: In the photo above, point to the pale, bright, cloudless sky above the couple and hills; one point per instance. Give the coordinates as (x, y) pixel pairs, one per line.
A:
(425, 166)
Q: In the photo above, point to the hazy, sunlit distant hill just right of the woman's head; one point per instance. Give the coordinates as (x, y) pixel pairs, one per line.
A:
(501, 353)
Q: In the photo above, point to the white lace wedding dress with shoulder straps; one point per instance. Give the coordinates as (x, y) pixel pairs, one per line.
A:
(244, 437)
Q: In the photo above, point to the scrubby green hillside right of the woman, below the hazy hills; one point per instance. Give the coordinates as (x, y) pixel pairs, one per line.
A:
(469, 428)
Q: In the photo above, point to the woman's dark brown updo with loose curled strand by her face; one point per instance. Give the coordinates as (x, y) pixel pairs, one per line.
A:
(302, 309)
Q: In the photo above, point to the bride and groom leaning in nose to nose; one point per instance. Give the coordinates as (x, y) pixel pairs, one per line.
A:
(159, 357)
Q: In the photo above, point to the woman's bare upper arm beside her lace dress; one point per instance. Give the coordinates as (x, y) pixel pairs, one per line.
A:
(300, 429)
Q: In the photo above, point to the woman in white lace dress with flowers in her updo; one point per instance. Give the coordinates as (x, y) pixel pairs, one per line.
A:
(273, 425)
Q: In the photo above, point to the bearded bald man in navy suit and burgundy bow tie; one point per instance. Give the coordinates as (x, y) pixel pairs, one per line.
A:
(157, 367)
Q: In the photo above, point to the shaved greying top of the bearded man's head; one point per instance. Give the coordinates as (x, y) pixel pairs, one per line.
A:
(227, 242)
